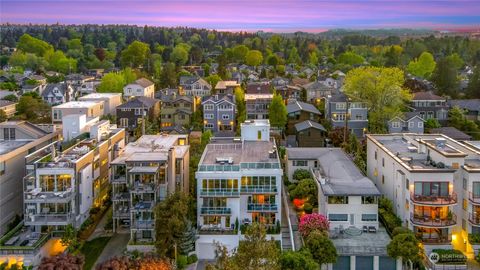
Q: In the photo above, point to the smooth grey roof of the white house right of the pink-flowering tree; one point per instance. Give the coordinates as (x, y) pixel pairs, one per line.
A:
(338, 175)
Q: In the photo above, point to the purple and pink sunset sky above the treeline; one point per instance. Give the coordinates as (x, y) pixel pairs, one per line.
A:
(250, 15)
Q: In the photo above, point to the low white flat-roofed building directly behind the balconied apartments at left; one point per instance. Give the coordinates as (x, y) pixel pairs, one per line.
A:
(89, 108)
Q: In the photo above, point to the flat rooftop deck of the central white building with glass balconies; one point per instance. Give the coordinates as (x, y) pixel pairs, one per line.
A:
(248, 151)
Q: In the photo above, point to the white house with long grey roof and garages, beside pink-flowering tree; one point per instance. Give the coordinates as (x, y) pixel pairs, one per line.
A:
(349, 200)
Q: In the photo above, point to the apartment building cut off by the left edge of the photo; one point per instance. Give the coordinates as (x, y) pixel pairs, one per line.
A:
(17, 139)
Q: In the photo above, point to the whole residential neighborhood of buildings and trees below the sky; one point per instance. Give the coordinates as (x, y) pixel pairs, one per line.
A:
(151, 147)
